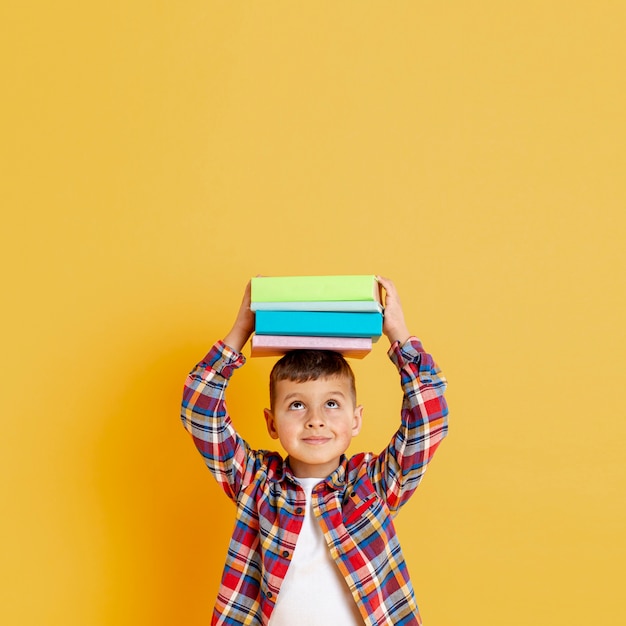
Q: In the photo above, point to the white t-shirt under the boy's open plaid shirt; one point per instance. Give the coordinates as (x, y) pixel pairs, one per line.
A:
(314, 593)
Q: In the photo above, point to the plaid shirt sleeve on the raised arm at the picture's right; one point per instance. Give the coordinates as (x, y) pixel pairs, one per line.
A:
(399, 469)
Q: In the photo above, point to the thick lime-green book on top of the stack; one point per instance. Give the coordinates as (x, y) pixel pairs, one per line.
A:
(315, 289)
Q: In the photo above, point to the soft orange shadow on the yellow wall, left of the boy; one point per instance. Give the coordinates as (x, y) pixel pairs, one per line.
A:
(164, 522)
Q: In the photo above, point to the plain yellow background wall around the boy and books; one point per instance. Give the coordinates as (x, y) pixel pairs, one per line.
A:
(155, 155)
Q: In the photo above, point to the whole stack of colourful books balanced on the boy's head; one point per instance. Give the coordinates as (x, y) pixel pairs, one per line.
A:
(341, 313)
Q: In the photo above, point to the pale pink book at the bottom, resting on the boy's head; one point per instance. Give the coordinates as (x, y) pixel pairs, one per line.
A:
(277, 345)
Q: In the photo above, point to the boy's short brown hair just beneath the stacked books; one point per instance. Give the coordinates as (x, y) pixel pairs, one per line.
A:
(303, 365)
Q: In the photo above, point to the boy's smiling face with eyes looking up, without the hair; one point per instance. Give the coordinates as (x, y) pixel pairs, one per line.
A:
(315, 421)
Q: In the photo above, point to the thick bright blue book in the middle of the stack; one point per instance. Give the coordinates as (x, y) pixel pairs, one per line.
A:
(319, 323)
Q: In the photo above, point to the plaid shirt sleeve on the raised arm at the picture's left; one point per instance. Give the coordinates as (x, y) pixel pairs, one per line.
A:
(205, 417)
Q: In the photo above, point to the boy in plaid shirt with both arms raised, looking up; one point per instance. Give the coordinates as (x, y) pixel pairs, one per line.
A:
(314, 542)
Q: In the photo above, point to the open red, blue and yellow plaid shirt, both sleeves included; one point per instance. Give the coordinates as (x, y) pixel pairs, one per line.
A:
(355, 504)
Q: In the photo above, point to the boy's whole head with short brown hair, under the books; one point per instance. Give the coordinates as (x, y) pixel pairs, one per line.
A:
(313, 409)
